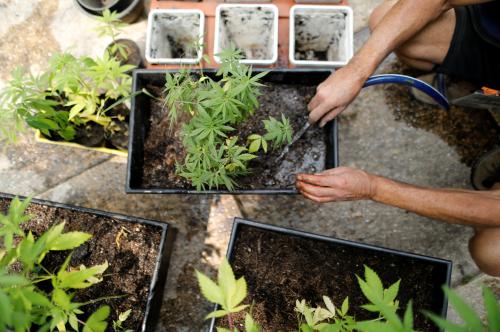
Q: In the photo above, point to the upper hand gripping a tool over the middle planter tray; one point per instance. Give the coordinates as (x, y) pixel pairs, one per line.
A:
(335, 94)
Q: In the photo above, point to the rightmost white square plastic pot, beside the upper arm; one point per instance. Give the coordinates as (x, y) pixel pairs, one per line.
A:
(321, 35)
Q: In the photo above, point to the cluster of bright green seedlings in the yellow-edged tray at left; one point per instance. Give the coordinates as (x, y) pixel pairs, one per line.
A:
(72, 92)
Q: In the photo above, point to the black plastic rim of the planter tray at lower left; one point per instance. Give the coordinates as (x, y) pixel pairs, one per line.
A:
(155, 296)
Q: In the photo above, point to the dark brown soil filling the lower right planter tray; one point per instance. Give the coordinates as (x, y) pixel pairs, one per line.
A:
(280, 269)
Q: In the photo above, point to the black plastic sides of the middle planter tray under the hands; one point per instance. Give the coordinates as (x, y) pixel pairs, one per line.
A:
(139, 127)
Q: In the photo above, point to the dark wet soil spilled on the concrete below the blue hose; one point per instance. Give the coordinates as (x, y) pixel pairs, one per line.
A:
(471, 132)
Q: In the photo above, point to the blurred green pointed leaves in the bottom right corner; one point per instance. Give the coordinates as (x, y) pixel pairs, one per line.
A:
(471, 321)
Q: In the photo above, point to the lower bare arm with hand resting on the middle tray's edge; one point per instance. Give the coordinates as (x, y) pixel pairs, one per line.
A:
(468, 207)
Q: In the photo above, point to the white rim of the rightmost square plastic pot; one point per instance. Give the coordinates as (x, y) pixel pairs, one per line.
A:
(349, 31)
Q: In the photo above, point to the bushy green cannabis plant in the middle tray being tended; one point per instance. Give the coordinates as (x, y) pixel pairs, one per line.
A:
(215, 155)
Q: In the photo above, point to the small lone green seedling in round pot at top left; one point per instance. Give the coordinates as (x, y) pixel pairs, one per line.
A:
(111, 26)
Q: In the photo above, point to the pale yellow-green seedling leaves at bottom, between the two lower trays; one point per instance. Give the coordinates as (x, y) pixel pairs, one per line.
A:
(228, 292)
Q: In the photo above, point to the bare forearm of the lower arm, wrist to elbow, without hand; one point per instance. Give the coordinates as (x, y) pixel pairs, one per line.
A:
(473, 208)
